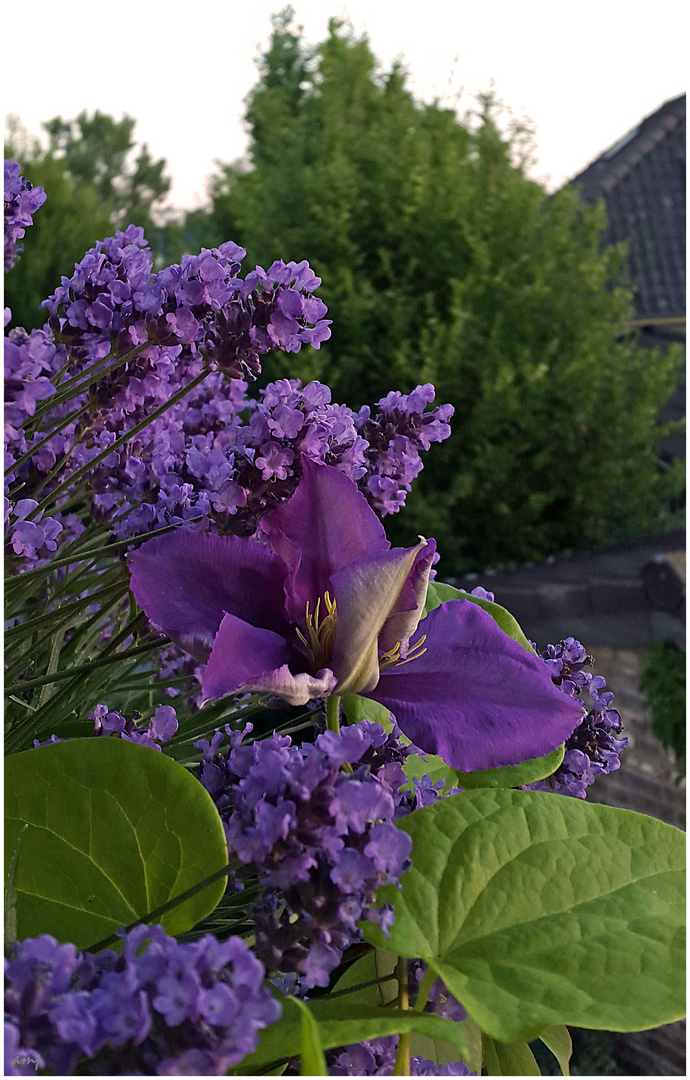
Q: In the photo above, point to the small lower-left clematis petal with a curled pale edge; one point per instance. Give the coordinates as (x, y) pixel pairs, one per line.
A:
(250, 658)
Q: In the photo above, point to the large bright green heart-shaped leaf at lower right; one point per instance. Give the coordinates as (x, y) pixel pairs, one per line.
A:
(537, 910)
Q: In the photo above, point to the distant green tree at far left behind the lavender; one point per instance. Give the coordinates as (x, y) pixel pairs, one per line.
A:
(93, 188)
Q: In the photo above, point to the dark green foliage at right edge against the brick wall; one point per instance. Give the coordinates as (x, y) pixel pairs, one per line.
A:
(664, 683)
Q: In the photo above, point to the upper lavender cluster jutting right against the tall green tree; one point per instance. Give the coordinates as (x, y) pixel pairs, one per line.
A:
(200, 309)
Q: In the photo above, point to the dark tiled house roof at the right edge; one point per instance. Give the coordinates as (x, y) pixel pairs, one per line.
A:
(643, 181)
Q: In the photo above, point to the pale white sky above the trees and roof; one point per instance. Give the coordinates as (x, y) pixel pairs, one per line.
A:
(584, 74)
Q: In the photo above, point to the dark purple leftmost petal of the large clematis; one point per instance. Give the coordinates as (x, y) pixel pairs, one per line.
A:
(187, 582)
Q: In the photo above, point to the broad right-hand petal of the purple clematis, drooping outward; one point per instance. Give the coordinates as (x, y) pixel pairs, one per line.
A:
(477, 697)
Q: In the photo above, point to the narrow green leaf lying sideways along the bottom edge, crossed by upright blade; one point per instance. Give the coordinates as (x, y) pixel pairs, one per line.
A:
(342, 1024)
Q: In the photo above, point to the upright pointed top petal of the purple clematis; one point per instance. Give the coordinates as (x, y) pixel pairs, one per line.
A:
(326, 525)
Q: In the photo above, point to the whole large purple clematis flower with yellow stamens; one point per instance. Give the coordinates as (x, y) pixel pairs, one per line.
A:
(327, 606)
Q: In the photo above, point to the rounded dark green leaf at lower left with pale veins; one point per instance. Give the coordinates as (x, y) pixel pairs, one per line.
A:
(116, 830)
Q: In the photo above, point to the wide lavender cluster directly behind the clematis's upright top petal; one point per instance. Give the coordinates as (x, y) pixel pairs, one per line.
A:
(200, 461)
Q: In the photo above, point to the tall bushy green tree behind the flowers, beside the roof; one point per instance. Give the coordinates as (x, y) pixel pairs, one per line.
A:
(443, 263)
